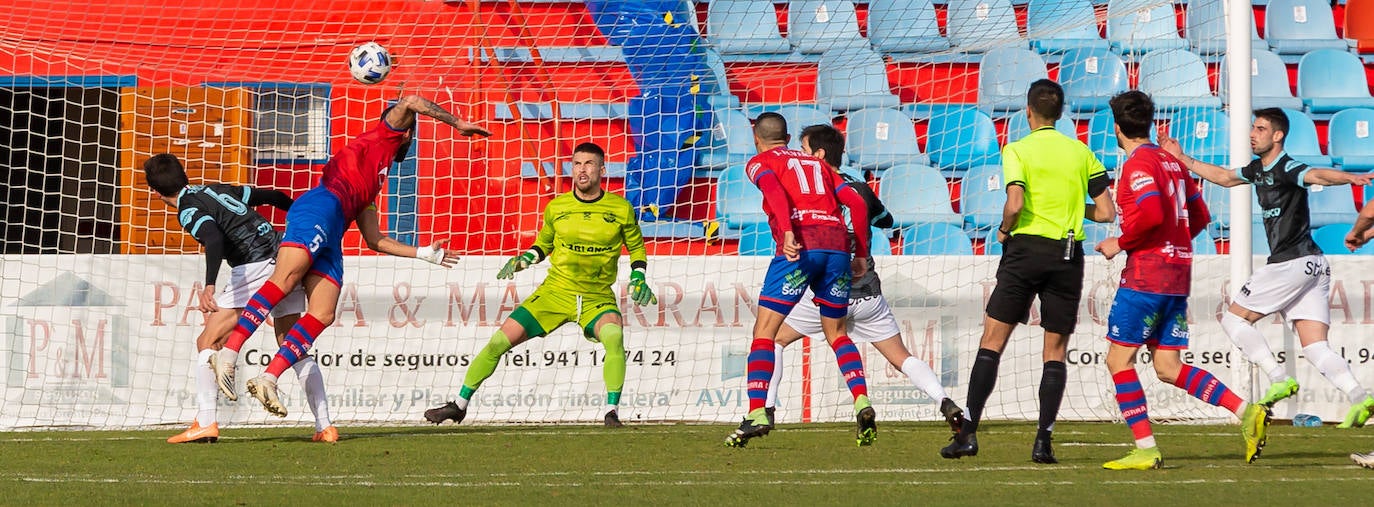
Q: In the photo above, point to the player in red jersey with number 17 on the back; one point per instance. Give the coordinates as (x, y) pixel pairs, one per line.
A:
(803, 201)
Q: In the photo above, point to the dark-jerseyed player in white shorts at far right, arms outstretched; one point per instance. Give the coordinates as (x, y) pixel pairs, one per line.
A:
(1296, 282)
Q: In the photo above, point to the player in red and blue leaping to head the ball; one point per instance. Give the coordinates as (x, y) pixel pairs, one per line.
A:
(313, 252)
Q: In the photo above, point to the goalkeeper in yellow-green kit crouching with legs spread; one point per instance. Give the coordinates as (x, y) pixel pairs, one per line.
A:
(582, 237)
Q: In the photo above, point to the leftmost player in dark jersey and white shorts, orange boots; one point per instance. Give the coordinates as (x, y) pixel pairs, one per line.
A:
(222, 219)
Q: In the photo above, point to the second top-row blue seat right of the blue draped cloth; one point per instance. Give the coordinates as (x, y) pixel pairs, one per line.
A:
(815, 27)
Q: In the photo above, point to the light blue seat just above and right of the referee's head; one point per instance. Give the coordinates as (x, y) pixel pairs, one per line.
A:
(1092, 78)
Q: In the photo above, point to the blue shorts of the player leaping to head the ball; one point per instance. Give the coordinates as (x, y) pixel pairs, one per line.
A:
(317, 225)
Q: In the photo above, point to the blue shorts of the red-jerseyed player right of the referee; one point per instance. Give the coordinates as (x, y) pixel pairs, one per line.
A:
(1142, 319)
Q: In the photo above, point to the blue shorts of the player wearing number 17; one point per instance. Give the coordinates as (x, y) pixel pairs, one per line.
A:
(826, 273)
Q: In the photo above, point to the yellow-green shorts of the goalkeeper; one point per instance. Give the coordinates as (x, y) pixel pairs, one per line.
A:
(549, 308)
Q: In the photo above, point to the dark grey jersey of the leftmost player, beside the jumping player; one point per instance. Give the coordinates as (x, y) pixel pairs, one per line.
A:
(249, 238)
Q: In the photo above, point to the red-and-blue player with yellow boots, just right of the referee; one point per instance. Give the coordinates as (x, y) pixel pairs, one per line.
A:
(1162, 210)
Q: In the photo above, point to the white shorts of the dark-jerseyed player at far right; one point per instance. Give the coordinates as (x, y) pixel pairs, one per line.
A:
(1299, 289)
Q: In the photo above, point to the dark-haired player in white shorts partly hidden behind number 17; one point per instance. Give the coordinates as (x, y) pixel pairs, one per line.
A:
(870, 318)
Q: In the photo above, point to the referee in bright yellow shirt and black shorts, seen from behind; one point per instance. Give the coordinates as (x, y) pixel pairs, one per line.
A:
(1049, 178)
